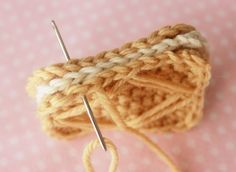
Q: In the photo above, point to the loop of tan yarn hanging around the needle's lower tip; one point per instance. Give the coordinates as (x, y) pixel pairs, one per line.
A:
(92, 146)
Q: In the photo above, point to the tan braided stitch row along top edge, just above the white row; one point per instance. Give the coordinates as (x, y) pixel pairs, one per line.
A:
(48, 73)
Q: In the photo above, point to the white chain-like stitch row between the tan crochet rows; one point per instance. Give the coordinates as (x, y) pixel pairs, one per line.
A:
(190, 40)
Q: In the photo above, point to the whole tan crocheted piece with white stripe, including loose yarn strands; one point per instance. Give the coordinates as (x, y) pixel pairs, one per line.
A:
(161, 90)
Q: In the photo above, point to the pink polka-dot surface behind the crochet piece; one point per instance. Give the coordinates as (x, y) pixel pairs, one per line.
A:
(27, 42)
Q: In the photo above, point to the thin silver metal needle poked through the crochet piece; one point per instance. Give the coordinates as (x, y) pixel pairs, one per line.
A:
(84, 98)
